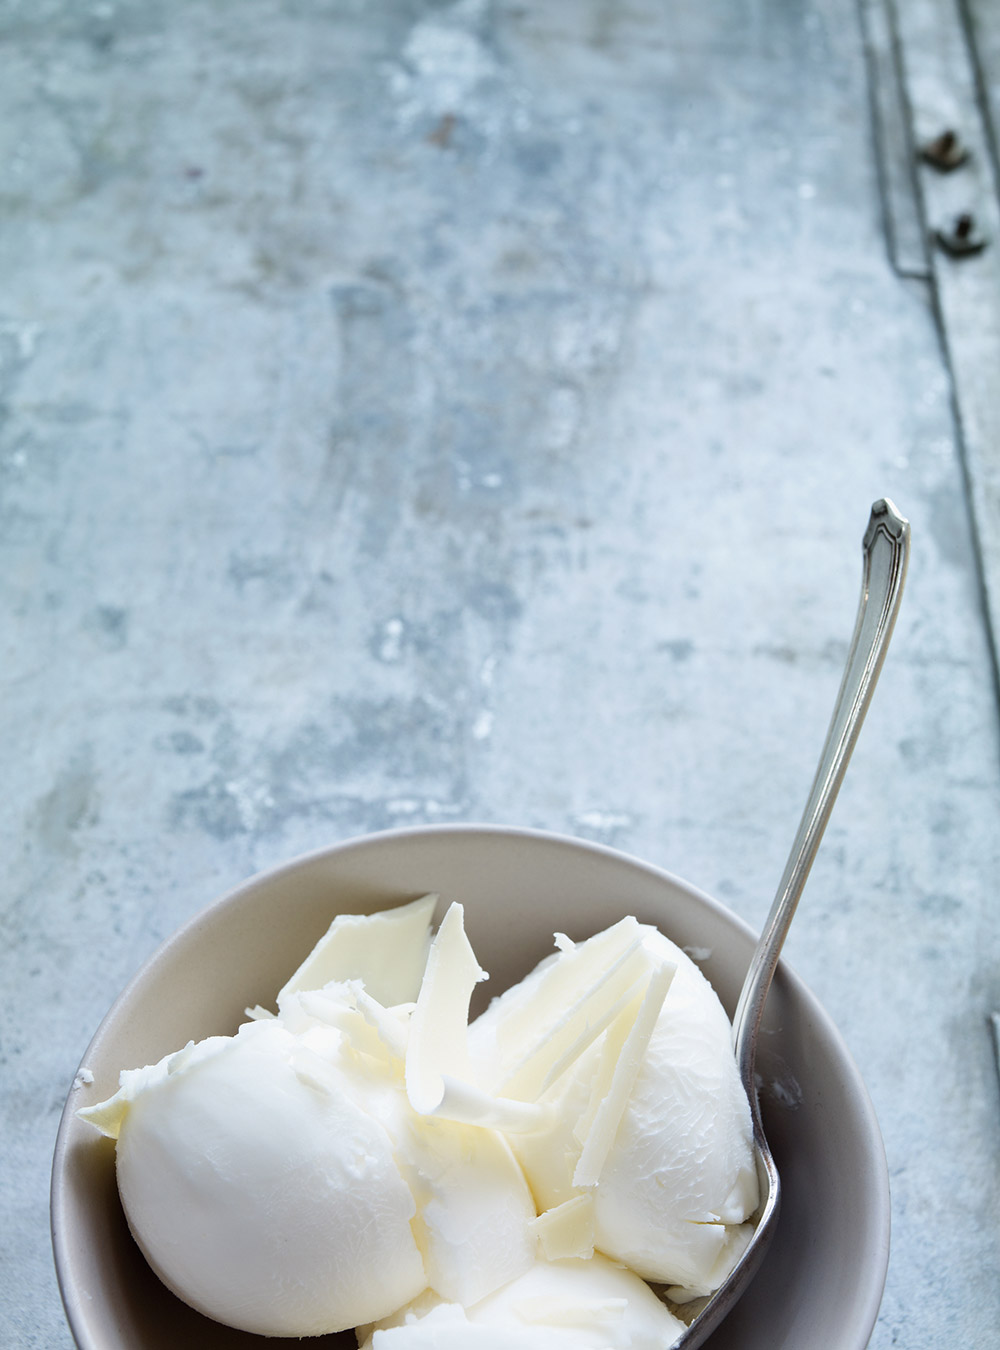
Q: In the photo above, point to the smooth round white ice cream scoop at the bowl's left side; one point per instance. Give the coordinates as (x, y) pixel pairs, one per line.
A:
(261, 1186)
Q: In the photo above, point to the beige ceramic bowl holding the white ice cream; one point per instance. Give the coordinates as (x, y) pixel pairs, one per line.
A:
(823, 1279)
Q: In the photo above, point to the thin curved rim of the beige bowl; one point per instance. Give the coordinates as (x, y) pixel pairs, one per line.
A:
(867, 1295)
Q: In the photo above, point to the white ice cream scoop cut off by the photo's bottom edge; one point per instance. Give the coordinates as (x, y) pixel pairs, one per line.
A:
(555, 1306)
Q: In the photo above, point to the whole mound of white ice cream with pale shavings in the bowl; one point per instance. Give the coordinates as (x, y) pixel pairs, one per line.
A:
(368, 1159)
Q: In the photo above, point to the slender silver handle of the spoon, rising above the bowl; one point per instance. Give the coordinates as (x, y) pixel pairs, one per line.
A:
(886, 556)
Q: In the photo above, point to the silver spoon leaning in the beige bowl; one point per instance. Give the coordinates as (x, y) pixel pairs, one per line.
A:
(886, 556)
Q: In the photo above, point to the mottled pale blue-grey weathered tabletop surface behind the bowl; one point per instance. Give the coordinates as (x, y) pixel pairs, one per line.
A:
(435, 412)
